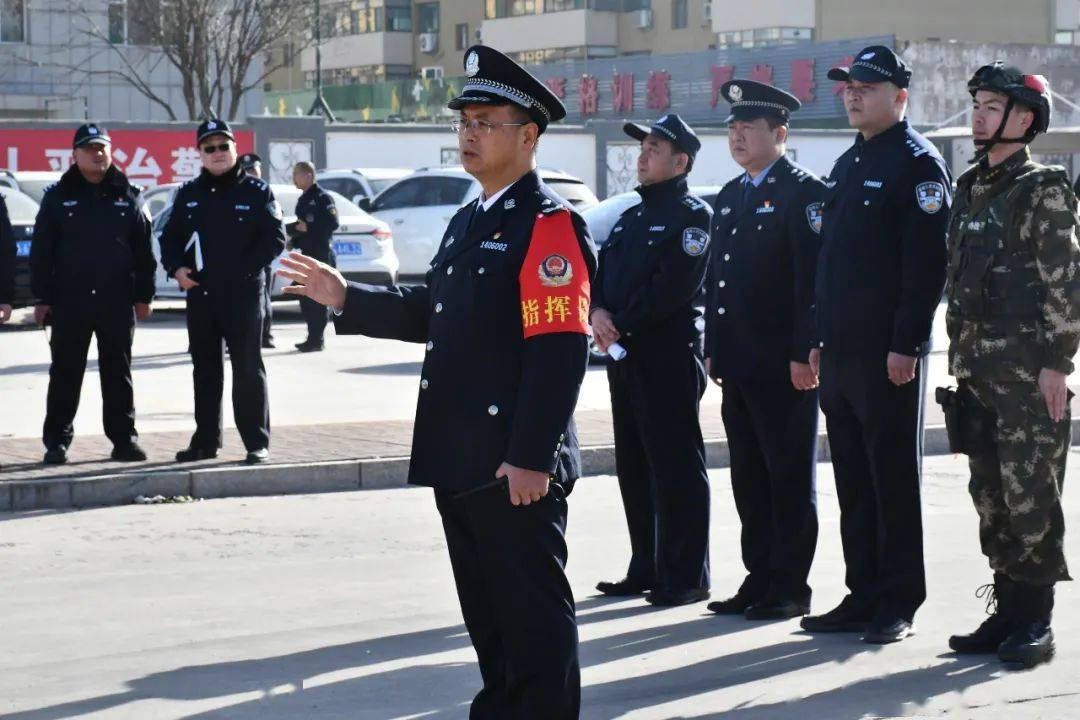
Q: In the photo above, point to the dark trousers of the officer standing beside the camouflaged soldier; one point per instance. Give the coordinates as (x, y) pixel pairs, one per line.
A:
(875, 438)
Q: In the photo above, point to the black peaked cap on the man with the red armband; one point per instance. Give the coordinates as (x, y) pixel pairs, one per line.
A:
(493, 78)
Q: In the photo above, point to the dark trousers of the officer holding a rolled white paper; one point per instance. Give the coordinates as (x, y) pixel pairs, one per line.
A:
(660, 459)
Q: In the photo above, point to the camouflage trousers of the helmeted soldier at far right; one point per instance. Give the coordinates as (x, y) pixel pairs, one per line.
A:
(1017, 483)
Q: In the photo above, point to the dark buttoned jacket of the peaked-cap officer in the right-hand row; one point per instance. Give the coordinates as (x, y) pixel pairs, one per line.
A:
(760, 317)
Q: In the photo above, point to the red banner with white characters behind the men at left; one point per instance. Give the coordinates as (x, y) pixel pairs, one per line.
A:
(147, 157)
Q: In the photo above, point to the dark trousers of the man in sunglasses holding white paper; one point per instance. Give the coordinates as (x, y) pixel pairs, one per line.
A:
(233, 316)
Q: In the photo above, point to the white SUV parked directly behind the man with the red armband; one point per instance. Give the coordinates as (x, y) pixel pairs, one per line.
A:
(420, 208)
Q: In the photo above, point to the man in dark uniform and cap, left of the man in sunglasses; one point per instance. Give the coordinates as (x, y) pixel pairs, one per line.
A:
(92, 273)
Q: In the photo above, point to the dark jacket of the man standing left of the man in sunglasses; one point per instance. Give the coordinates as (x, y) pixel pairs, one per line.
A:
(92, 241)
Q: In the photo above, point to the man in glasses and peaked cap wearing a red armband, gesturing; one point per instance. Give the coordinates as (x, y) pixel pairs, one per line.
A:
(505, 315)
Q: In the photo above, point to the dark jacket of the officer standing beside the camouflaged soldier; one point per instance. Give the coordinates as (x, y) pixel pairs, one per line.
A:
(882, 269)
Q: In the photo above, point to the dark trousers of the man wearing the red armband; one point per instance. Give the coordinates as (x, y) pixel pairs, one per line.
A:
(509, 567)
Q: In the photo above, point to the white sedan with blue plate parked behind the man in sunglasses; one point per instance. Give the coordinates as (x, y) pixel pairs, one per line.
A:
(363, 244)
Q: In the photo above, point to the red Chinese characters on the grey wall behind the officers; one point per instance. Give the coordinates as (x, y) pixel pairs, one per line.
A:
(658, 86)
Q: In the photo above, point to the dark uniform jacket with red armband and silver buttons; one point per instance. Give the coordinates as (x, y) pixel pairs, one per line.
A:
(493, 390)
